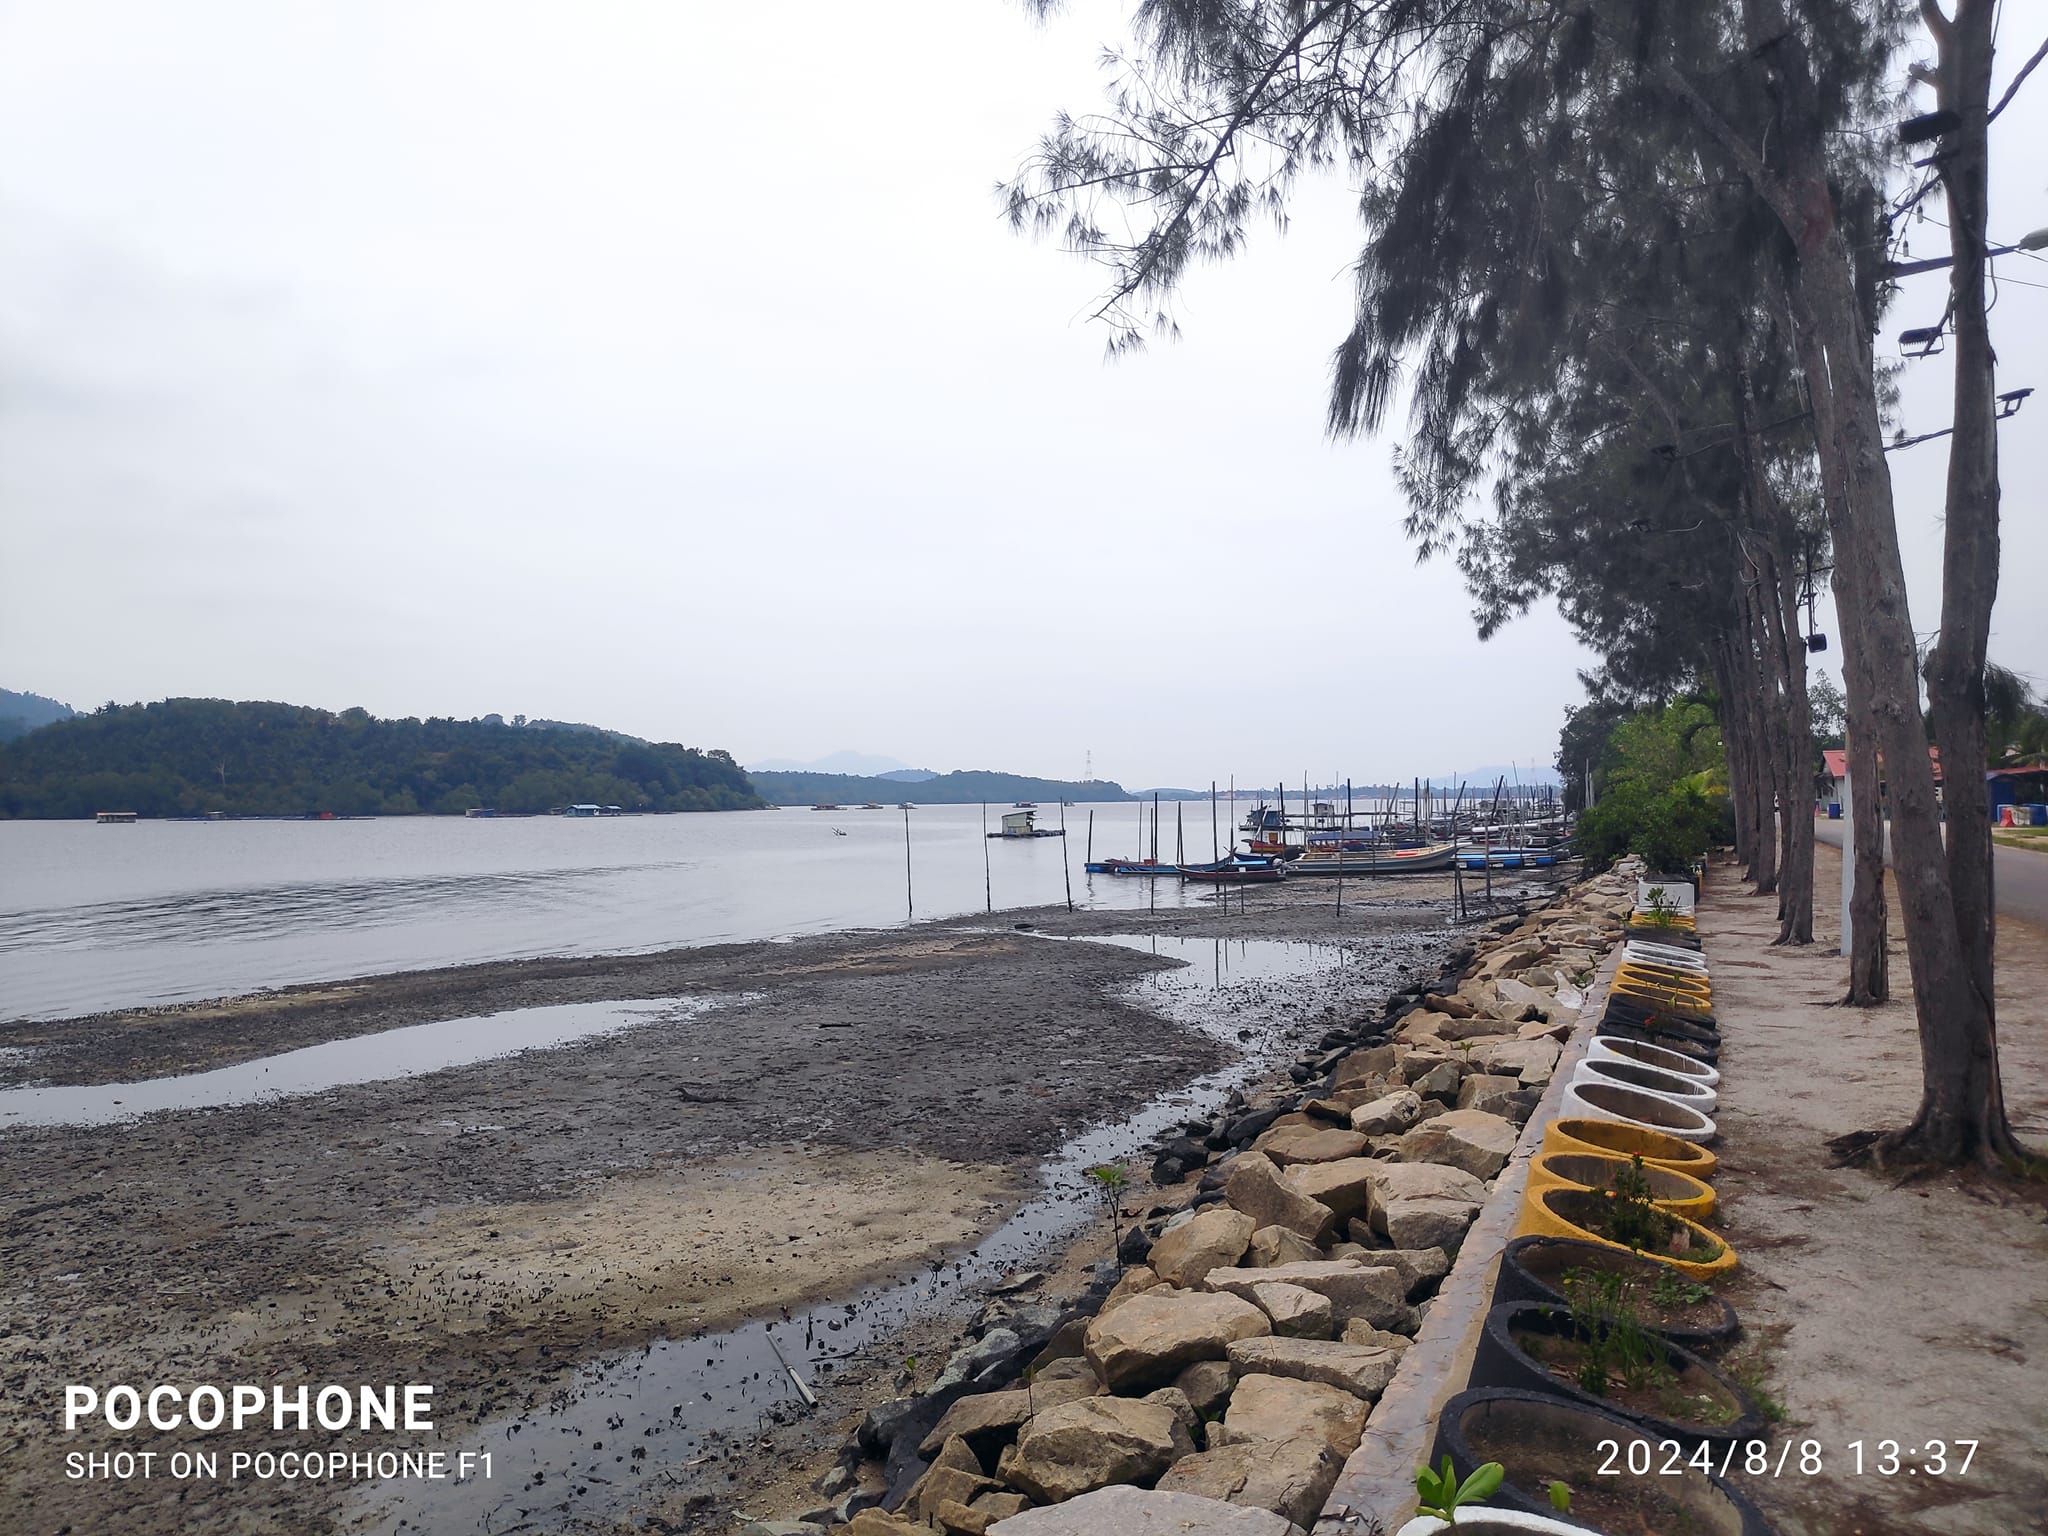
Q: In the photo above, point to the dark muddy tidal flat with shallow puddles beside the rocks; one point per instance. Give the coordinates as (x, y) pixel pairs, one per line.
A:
(759, 1129)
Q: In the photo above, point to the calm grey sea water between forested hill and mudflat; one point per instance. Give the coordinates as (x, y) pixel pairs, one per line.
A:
(161, 912)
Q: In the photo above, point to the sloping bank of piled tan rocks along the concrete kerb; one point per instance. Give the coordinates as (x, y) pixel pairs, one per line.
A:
(1256, 1322)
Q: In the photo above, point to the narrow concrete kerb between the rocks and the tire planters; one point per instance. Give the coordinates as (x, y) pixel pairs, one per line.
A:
(1379, 1480)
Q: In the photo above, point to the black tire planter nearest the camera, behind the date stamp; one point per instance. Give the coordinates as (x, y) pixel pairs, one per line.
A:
(1539, 1439)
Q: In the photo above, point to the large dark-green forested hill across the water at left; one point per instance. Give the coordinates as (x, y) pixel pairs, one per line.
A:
(191, 757)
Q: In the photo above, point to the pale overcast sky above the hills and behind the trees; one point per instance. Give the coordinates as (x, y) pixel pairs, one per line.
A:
(646, 366)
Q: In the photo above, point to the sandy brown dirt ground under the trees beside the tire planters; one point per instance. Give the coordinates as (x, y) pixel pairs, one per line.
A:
(1879, 1308)
